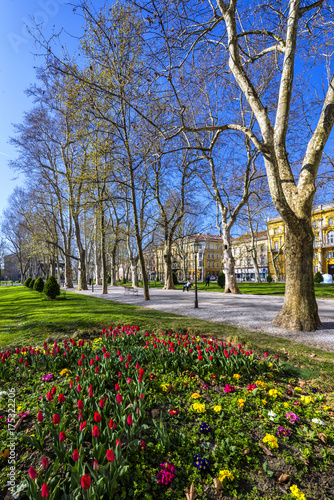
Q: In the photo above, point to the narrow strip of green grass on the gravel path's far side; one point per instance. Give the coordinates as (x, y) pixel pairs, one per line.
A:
(321, 291)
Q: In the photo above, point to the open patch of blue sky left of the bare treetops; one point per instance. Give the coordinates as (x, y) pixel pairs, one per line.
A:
(17, 61)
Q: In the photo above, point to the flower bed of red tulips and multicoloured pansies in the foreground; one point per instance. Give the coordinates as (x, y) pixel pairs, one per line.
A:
(133, 415)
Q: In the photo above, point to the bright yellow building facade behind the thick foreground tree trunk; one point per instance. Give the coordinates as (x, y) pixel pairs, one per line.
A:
(323, 229)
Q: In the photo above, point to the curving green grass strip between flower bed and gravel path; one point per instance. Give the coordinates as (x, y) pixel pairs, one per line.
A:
(28, 317)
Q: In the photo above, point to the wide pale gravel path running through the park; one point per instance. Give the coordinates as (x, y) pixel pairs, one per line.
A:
(251, 312)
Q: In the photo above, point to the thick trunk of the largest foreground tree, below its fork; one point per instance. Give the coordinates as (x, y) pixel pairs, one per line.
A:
(300, 309)
